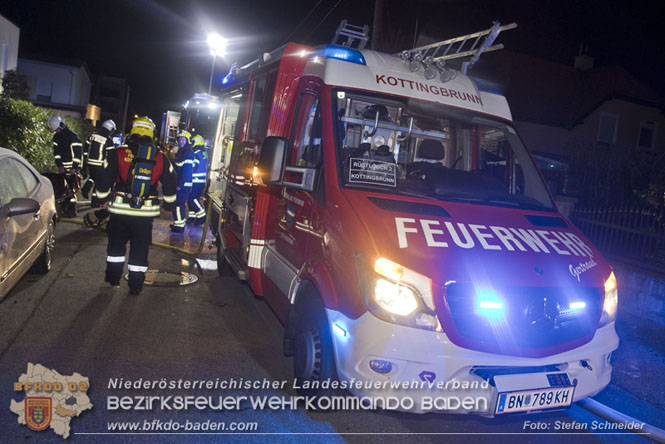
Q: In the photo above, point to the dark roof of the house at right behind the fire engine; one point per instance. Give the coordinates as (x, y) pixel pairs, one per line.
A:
(551, 93)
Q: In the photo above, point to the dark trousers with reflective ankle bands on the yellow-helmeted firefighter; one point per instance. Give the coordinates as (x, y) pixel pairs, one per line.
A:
(137, 230)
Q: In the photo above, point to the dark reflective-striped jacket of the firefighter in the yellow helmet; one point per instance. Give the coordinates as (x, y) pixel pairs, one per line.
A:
(114, 183)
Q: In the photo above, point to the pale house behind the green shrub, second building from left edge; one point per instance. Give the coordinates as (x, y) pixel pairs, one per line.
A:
(62, 85)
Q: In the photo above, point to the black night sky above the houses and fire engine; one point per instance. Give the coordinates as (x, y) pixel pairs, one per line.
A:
(159, 46)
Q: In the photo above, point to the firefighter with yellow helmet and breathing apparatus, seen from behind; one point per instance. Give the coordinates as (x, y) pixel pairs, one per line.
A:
(129, 179)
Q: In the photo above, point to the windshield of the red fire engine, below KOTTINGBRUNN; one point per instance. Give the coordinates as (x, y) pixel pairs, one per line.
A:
(416, 148)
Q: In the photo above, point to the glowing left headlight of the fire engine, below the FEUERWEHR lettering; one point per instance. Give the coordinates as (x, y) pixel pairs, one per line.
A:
(397, 294)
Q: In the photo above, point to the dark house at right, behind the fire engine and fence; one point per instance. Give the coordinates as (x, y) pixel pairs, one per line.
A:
(561, 110)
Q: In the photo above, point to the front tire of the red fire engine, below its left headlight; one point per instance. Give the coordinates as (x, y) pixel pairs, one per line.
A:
(313, 353)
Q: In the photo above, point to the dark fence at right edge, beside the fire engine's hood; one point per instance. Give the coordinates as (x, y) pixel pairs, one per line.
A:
(631, 235)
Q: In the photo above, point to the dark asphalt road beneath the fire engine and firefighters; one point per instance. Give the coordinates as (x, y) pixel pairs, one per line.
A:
(70, 321)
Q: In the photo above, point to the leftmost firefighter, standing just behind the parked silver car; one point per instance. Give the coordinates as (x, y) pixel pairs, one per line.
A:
(68, 153)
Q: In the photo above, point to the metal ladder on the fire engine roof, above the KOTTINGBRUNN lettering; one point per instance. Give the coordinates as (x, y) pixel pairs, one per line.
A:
(440, 52)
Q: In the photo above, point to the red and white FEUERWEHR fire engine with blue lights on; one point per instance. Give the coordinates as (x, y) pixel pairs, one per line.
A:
(387, 210)
